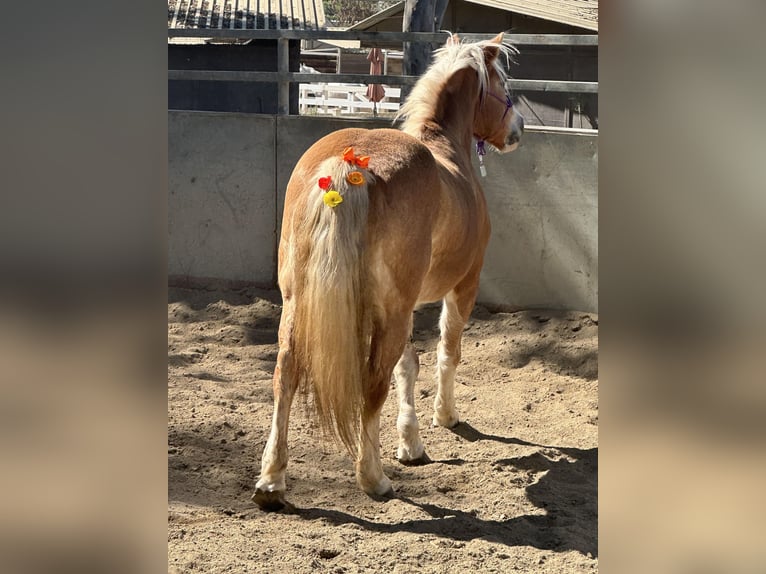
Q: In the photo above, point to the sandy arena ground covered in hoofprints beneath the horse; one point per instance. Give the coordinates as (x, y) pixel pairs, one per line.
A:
(512, 488)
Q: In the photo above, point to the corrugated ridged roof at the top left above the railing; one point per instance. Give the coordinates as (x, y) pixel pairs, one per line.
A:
(247, 14)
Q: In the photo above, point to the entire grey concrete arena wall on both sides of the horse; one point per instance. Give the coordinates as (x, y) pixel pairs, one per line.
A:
(227, 176)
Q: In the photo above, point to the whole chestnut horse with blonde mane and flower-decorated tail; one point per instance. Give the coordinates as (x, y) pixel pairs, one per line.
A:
(375, 223)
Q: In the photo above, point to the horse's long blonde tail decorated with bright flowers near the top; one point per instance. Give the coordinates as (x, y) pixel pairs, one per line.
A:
(332, 327)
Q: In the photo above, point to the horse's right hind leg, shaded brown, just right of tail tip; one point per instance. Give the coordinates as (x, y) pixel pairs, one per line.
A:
(386, 347)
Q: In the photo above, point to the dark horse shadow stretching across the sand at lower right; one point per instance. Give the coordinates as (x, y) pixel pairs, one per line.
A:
(567, 492)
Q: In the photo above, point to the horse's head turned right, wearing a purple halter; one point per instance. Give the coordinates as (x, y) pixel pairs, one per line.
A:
(496, 121)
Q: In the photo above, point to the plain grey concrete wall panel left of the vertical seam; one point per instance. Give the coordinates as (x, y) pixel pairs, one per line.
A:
(221, 196)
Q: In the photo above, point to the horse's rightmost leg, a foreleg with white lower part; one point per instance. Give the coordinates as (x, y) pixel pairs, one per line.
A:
(456, 310)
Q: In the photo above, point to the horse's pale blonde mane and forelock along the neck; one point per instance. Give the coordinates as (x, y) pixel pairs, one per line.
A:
(448, 59)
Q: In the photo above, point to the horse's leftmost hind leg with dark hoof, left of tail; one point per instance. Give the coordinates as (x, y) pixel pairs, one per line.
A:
(270, 488)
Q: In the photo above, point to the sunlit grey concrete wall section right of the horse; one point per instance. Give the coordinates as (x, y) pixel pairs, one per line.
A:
(543, 201)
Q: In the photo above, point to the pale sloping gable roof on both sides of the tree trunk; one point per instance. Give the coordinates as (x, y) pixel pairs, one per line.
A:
(580, 13)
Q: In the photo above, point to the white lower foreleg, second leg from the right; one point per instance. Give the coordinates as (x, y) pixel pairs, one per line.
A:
(405, 374)
